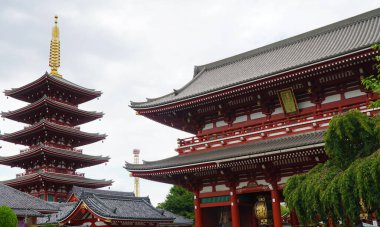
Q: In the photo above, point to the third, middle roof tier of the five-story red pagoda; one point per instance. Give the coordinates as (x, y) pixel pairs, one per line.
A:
(45, 125)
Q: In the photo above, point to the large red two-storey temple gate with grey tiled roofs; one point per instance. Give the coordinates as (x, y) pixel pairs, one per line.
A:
(259, 117)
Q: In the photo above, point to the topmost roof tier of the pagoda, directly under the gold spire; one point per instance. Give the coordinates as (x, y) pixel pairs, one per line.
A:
(51, 84)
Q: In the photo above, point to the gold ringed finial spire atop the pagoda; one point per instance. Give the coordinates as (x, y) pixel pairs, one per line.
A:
(54, 60)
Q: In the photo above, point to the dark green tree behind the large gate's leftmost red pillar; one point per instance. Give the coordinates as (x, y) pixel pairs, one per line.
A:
(179, 201)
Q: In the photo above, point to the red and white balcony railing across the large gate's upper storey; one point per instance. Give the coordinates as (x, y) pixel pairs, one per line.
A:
(267, 129)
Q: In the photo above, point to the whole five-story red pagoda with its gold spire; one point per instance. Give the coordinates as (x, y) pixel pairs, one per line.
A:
(52, 134)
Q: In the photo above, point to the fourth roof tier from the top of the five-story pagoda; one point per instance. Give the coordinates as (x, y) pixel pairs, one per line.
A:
(42, 152)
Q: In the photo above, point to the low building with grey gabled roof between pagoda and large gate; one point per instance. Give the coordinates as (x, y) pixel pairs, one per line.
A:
(94, 207)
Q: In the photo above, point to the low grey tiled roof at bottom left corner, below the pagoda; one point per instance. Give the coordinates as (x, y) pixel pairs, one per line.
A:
(24, 204)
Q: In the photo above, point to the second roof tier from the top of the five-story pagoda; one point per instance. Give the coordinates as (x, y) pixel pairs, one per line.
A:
(47, 104)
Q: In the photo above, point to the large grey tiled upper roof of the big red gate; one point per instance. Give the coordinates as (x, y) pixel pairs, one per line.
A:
(347, 36)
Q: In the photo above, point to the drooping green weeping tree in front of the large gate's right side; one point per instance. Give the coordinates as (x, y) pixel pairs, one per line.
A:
(351, 175)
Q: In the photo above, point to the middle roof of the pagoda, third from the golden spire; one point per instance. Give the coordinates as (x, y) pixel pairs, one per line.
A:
(46, 129)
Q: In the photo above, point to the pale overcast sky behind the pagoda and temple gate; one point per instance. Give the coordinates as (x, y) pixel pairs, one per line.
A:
(131, 50)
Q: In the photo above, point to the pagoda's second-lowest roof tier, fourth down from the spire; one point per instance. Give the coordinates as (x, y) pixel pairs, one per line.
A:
(46, 150)
